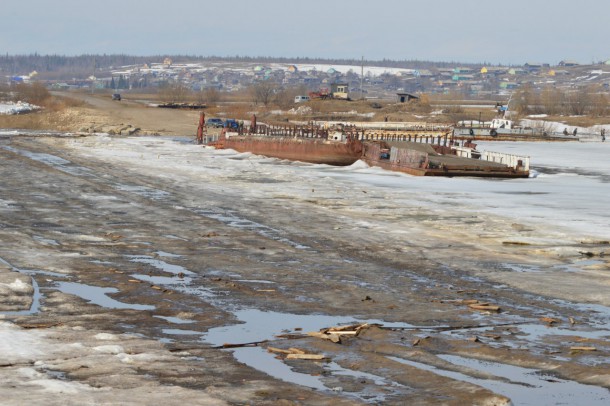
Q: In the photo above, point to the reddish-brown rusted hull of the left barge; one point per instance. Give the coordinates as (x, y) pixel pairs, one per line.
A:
(313, 150)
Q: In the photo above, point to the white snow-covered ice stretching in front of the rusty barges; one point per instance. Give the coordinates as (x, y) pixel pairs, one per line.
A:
(567, 192)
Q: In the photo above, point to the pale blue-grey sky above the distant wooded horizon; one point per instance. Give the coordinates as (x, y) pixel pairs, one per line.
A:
(470, 31)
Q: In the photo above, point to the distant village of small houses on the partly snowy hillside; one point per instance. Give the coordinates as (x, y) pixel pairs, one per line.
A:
(362, 81)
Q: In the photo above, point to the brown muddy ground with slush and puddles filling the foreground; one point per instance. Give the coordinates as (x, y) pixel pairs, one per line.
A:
(111, 276)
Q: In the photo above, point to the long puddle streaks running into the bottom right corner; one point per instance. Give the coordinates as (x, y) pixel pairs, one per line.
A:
(523, 386)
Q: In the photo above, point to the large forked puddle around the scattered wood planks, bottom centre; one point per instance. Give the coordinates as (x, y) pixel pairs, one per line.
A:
(259, 325)
